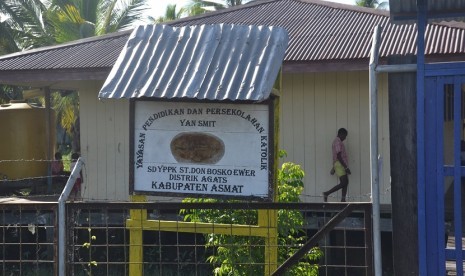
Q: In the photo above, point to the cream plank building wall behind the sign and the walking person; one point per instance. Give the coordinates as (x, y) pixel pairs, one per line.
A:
(313, 107)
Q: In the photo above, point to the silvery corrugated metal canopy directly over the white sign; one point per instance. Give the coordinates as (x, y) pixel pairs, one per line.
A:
(215, 62)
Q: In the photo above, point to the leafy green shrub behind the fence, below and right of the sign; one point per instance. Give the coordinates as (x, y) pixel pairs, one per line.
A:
(238, 255)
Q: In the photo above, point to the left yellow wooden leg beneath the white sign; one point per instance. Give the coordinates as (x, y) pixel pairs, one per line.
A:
(136, 255)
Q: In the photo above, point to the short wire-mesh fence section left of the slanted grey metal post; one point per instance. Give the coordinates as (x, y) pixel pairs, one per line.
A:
(28, 238)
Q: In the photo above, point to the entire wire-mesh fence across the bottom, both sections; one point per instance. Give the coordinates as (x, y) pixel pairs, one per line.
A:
(99, 240)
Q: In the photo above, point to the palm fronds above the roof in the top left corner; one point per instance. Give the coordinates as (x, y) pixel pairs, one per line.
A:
(35, 23)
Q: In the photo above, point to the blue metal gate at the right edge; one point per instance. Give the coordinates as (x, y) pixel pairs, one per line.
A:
(444, 167)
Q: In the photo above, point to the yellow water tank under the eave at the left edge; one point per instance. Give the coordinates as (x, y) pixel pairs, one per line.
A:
(24, 141)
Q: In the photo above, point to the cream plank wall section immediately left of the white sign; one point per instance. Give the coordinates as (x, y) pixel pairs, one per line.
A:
(104, 145)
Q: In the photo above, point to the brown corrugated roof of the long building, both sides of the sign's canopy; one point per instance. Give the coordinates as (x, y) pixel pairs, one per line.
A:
(319, 32)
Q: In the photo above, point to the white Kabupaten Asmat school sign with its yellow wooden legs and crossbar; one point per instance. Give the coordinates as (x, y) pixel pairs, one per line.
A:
(216, 150)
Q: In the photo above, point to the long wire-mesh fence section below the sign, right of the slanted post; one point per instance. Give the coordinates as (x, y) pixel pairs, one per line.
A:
(99, 240)
